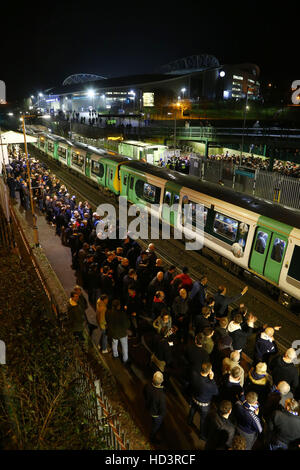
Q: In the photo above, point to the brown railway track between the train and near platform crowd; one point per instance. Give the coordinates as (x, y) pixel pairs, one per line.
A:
(172, 252)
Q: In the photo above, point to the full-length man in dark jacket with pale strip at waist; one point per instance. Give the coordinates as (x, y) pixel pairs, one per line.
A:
(204, 388)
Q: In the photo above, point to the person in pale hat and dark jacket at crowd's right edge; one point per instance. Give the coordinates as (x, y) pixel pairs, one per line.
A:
(282, 368)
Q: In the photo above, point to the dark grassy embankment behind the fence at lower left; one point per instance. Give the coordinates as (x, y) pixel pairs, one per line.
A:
(42, 405)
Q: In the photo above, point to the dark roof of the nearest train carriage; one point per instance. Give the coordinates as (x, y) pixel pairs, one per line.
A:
(268, 209)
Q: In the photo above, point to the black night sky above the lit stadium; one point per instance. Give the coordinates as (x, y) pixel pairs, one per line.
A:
(42, 44)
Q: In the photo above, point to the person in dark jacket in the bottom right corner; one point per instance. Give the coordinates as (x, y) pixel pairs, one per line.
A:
(284, 427)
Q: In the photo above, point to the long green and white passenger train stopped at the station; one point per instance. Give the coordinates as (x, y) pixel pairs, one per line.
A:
(247, 234)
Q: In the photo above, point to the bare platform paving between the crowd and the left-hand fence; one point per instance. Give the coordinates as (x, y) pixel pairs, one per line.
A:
(175, 434)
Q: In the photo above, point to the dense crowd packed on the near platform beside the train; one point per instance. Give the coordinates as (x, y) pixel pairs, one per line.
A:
(194, 337)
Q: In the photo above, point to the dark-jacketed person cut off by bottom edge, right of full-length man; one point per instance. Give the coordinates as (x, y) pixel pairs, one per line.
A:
(220, 430)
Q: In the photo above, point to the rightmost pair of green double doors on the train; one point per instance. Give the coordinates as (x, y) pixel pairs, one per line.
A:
(268, 253)
